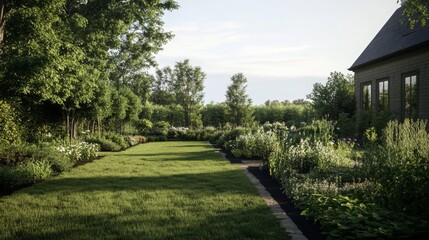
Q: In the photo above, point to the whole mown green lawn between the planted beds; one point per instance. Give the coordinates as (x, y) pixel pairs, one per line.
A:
(168, 190)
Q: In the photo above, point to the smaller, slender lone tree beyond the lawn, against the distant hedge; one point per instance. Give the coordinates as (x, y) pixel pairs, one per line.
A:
(238, 102)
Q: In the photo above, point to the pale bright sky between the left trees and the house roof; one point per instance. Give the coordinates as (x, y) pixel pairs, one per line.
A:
(283, 47)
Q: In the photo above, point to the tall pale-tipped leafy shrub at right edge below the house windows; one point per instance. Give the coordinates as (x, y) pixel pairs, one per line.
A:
(400, 165)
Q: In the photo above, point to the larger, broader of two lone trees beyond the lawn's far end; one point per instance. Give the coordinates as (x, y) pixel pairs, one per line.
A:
(188, 84)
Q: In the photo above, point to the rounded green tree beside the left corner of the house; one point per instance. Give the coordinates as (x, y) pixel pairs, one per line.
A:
(335, 97)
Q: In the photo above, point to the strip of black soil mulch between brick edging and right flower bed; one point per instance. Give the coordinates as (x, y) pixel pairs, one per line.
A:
(307, 226)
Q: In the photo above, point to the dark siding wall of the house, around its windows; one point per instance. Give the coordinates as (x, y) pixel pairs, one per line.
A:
(393, 69)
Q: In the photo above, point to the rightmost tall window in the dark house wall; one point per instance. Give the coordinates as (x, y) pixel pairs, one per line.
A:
(410, 96)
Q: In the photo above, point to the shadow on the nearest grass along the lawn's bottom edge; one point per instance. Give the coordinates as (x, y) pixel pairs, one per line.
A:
(239, 223)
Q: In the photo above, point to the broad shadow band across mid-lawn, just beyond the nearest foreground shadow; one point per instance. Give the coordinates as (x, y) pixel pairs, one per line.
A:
(199, 184)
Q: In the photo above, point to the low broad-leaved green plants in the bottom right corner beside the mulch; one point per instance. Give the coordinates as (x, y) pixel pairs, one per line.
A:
(342, 217)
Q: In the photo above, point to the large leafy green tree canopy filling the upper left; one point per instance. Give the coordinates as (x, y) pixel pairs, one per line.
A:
(62, 53)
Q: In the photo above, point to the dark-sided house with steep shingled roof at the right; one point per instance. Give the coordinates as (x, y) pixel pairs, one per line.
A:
(392, 73)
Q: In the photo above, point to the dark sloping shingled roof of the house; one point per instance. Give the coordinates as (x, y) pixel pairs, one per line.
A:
(394, 38)
